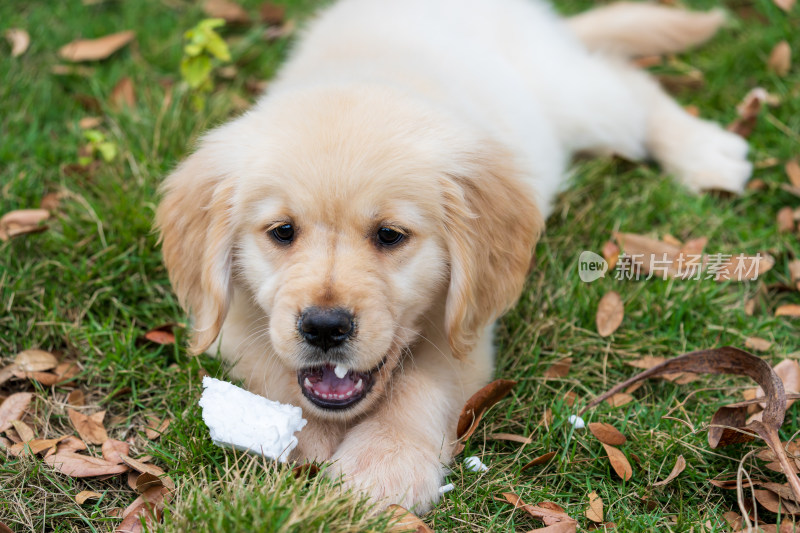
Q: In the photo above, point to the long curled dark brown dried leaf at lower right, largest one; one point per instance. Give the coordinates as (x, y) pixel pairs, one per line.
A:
(729, 360)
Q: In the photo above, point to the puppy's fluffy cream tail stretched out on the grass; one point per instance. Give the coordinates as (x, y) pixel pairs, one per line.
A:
(631, 29)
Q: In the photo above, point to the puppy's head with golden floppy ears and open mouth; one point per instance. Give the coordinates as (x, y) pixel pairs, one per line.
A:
(356, 220)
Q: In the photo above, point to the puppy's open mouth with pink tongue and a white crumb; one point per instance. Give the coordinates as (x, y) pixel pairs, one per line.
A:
(335, 387)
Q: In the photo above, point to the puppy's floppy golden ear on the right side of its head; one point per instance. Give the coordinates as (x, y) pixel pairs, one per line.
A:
(492, 225)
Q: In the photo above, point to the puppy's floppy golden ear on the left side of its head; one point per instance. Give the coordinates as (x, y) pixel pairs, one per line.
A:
(197, 243)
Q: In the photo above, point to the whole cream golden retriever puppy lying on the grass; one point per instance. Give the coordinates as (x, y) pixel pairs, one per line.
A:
(347, 244)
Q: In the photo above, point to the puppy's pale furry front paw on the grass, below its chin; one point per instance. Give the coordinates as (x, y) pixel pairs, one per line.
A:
(390, 472)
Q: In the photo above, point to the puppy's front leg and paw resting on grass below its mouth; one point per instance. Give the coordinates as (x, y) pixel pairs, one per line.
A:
(397, 455)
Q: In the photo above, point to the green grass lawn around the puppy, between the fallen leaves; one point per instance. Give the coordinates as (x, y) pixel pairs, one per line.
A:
(89, 287)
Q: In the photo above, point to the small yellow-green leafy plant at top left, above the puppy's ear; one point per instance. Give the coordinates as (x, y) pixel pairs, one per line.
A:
(203, 46)
